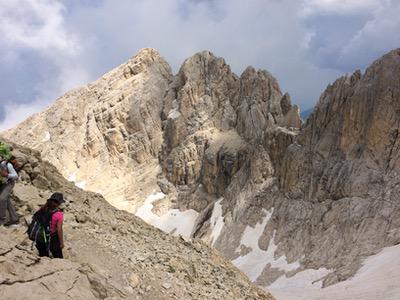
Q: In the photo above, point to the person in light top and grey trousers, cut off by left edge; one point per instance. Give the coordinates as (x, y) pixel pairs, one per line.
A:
(8, 176)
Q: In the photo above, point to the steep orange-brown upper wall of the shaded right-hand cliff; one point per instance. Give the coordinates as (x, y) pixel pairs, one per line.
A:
(358, 116)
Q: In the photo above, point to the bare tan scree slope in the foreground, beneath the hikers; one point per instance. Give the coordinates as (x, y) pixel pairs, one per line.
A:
(110, 254)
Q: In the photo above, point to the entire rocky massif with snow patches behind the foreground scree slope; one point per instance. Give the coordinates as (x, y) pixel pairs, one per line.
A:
(226, 159)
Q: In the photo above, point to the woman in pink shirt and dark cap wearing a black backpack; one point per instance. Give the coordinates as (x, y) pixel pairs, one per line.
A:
(51, 219)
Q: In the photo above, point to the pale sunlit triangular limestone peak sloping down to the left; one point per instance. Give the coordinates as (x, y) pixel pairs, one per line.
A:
(106, 136)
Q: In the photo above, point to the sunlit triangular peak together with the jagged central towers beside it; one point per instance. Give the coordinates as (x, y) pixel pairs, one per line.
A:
(201, 125)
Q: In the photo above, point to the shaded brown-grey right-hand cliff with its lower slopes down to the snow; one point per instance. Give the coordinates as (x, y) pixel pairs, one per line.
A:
(333, 199)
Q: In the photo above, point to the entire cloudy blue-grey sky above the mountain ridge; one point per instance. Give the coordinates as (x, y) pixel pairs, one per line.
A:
(50, 46)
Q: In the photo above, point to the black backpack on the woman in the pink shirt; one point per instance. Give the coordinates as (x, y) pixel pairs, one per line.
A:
(39, 229)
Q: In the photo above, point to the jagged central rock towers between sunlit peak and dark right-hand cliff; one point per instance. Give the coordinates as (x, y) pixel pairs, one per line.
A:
(213, 119)
